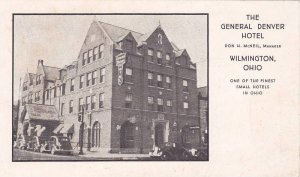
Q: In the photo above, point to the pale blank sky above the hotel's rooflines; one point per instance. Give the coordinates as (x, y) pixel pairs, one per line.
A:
(57, 39)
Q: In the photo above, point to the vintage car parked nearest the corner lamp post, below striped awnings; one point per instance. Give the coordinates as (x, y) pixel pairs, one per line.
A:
(57, 144)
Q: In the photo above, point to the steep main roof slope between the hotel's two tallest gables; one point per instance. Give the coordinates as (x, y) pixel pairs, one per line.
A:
(116, 33)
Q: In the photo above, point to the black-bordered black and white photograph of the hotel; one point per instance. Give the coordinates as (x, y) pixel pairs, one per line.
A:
(98, 87)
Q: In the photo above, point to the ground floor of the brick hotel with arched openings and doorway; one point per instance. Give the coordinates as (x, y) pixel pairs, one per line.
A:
(129, 131)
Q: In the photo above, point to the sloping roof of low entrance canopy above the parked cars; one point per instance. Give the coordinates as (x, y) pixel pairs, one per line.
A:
(41, 112)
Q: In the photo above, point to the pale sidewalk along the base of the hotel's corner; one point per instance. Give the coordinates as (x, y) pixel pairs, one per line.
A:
(112, 156)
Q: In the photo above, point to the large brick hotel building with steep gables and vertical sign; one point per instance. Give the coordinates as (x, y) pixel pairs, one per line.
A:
(137, 90)
